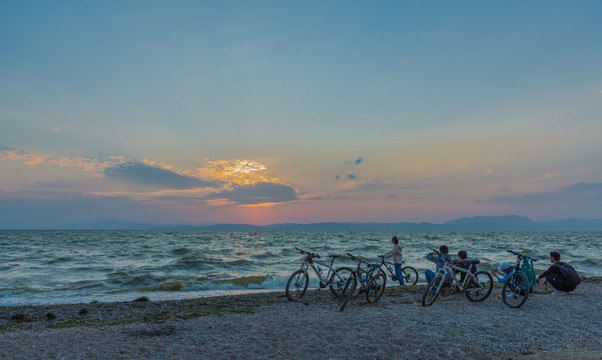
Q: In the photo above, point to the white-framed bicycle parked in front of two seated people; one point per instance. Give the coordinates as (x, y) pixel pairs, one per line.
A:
(477, 286)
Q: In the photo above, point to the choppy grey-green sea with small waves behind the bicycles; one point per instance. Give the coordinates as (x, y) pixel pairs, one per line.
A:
(54, 267)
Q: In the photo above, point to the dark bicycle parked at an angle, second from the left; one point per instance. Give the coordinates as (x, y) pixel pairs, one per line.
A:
(373, 285)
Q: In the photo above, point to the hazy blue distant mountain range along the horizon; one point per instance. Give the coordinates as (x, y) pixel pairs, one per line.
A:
(476, 223)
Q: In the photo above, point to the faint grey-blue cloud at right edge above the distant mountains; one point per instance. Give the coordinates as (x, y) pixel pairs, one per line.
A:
(572, 193)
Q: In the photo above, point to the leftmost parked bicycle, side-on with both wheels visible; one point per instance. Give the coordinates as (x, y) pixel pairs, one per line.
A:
(299, 280)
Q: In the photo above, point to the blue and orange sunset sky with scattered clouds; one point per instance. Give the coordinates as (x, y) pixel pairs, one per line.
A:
(266, 112)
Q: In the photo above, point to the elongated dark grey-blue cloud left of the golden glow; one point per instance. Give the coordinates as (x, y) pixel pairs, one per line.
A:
(144, 174)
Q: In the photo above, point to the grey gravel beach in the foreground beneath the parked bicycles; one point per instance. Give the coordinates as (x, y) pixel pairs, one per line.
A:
(266, 326)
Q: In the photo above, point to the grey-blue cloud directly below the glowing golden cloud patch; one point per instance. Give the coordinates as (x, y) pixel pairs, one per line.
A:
(260, 193)
